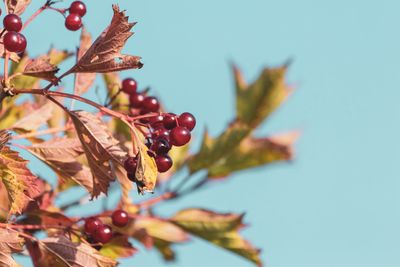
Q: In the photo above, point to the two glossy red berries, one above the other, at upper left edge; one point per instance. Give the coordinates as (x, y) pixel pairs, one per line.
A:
(13, 40)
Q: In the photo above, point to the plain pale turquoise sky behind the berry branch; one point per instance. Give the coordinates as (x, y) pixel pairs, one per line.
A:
(337, 204)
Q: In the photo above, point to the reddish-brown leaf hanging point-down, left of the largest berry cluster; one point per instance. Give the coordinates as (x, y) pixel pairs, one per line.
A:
(101, 149)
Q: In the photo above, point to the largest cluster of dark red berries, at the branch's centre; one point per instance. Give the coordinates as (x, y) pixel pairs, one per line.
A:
(165, 129)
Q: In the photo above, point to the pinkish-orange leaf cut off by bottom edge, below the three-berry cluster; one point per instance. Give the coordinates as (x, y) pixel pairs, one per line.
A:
(62, 252)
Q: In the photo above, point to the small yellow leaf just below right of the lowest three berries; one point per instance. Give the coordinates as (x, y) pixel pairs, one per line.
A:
(118, 247)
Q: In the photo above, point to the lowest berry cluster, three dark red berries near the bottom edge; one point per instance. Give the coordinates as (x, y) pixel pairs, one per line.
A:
(102, 233)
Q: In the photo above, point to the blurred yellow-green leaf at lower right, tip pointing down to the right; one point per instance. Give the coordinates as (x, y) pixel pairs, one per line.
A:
(219, 229)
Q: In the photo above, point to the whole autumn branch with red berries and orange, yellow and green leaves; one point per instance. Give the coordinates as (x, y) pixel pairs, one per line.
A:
(129, 140)
